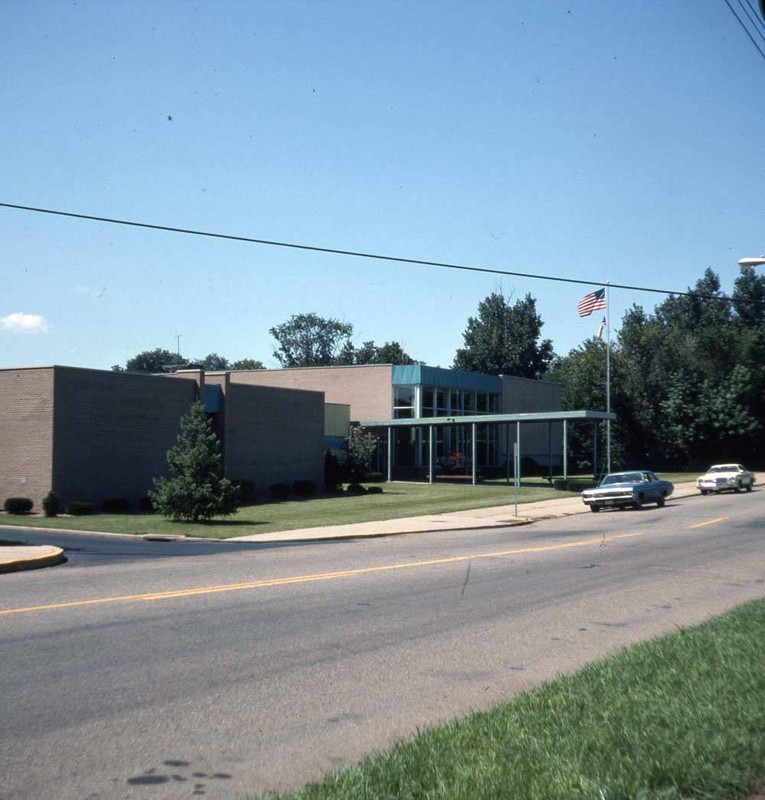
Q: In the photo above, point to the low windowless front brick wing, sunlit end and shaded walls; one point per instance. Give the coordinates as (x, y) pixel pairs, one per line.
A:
(91, 434)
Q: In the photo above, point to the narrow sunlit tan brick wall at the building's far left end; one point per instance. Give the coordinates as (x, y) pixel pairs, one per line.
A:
(26, 433)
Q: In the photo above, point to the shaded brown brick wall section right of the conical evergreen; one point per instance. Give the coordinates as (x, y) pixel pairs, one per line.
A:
(272, 435)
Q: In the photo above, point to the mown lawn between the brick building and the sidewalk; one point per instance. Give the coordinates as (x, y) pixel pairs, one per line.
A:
(398, 500)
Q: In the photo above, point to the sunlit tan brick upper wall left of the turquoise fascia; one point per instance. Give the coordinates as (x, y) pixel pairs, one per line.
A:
(367, 389)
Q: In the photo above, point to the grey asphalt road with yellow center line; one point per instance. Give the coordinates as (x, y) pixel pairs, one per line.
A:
(176, 670)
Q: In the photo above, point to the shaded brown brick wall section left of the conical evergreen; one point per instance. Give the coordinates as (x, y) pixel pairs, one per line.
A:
(113, 431)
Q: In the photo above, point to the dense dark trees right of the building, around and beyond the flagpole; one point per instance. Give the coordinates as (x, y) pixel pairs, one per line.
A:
(687, 381)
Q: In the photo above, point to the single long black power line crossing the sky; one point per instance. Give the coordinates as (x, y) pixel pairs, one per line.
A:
(359, 254)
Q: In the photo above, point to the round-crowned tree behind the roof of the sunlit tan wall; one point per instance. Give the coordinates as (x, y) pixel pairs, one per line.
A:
(308, 340)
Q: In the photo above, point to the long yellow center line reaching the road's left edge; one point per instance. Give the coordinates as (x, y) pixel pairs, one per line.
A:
(319, 576)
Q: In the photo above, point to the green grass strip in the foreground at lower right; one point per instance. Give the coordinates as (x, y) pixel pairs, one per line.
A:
(679, 717)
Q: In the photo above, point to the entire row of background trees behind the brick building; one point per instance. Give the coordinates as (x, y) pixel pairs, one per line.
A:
(687, 380)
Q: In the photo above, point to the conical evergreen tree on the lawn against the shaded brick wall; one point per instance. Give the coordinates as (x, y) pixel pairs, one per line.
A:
(196, 489)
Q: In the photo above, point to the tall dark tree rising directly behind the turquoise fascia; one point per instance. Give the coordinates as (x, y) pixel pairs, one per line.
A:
(504, 339)
